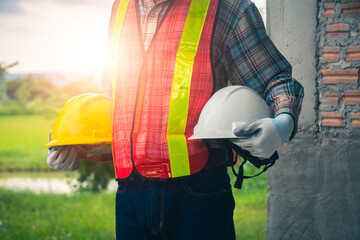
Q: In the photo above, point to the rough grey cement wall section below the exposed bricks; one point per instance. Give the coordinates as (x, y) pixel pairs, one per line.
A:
(314, 190)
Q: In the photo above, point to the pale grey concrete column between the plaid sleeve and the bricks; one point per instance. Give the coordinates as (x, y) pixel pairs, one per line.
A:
(291, 24)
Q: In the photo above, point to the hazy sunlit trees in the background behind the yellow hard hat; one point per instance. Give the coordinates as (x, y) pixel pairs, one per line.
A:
(38, 95)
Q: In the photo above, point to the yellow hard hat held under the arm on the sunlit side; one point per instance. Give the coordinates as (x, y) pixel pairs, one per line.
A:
(85, 119)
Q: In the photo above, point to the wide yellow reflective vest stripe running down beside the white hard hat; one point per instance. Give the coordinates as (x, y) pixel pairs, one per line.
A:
(180, 90)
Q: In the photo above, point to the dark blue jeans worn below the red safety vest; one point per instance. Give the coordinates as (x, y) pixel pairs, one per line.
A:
(200, 207)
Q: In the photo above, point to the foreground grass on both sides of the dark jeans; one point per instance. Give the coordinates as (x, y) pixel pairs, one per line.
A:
(24, 215)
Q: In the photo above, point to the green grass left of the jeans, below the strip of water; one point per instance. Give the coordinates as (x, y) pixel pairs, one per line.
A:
(24, 215)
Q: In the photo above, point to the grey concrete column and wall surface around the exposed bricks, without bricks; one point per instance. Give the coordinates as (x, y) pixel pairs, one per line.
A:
(313, 187)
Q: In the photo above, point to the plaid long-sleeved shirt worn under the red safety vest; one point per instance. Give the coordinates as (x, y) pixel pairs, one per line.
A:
(242, 54)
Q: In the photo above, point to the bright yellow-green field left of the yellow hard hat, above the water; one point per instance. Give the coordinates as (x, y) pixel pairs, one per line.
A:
(21, 142)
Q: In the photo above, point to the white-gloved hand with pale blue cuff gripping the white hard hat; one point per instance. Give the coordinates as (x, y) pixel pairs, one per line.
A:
(264, 136)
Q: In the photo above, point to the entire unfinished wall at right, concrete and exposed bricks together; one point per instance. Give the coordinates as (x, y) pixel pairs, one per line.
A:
(314, 188)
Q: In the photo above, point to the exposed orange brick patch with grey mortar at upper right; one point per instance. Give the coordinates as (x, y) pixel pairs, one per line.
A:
(338, 67)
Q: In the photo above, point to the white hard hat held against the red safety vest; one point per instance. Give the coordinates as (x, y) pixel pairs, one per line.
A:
(227, 109)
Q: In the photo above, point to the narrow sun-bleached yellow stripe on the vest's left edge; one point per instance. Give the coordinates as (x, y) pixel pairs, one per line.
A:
(119, 21)
